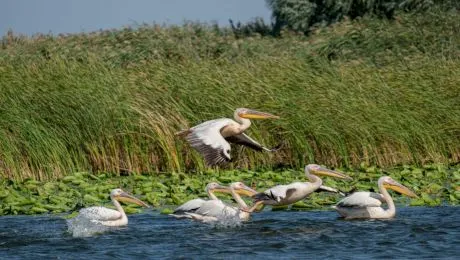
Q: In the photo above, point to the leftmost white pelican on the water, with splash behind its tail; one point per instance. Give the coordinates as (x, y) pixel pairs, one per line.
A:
(110, 217)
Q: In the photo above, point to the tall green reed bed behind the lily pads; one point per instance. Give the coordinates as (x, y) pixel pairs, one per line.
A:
(369, 91)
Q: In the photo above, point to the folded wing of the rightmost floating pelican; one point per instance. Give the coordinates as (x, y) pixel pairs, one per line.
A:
(362, 199)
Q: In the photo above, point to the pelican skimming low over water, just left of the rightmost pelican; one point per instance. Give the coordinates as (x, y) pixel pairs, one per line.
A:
(282, 195)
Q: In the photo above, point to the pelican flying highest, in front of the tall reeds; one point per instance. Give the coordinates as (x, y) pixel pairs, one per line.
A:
(211, 138)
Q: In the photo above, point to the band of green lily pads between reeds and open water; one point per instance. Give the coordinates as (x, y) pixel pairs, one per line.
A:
(435, 185)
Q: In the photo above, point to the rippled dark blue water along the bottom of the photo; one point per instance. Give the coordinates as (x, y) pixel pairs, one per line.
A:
(415, 233)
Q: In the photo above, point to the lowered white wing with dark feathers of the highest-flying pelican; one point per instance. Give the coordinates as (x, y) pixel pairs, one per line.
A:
(207, 140)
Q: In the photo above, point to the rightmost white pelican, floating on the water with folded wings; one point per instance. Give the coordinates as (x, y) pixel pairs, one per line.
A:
(365, 204)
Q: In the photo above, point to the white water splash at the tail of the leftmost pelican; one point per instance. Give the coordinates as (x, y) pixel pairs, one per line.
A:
(80, 226)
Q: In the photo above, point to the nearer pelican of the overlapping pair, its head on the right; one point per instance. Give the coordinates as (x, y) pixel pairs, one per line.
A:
(214, 210)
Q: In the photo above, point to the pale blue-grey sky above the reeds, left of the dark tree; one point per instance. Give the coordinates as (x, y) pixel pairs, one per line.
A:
(73, 16)
